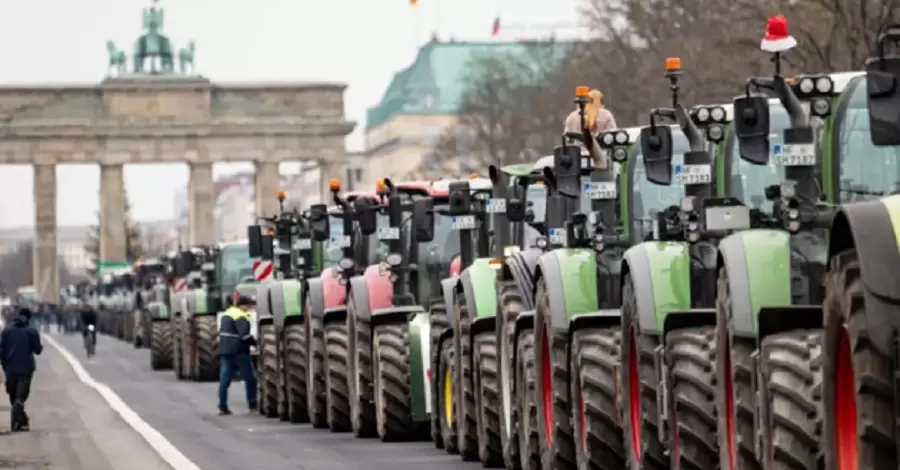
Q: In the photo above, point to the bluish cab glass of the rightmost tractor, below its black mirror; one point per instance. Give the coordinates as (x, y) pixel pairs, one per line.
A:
(866, 171)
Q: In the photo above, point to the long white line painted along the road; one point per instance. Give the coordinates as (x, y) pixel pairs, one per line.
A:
(157, 441)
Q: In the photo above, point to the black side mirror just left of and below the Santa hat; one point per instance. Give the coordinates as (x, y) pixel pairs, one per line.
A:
(751, 126)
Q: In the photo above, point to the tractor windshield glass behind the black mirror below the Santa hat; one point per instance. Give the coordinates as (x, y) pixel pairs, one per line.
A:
(747, 181)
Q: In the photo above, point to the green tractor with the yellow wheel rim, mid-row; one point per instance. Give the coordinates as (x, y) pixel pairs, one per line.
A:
(469, 292)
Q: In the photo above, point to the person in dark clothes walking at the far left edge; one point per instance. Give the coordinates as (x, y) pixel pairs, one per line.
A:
(19, 342)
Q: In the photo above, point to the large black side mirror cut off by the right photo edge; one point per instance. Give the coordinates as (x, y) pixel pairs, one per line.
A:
(883, 83)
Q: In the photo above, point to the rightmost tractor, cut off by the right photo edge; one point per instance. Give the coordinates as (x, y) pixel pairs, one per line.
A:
(860, 340)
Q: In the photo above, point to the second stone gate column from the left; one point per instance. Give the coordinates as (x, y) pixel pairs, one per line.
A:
(113, 233)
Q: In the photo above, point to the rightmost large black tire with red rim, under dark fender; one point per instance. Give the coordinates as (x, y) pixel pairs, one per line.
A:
(850, 359)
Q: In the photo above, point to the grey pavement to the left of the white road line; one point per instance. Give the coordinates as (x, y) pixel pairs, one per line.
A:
(73, 428)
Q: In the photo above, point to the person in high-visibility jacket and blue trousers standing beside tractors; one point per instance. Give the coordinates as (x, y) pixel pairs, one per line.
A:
(235, 341)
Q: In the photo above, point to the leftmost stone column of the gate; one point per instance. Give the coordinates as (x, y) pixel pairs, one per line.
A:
(45, 269)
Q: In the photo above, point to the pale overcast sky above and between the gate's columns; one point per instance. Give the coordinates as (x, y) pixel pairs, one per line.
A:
(358, 42)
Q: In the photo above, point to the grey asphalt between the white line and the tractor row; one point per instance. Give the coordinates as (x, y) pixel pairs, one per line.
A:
(186, 414)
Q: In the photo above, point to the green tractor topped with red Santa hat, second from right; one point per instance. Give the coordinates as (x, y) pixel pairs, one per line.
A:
(769, 279)
